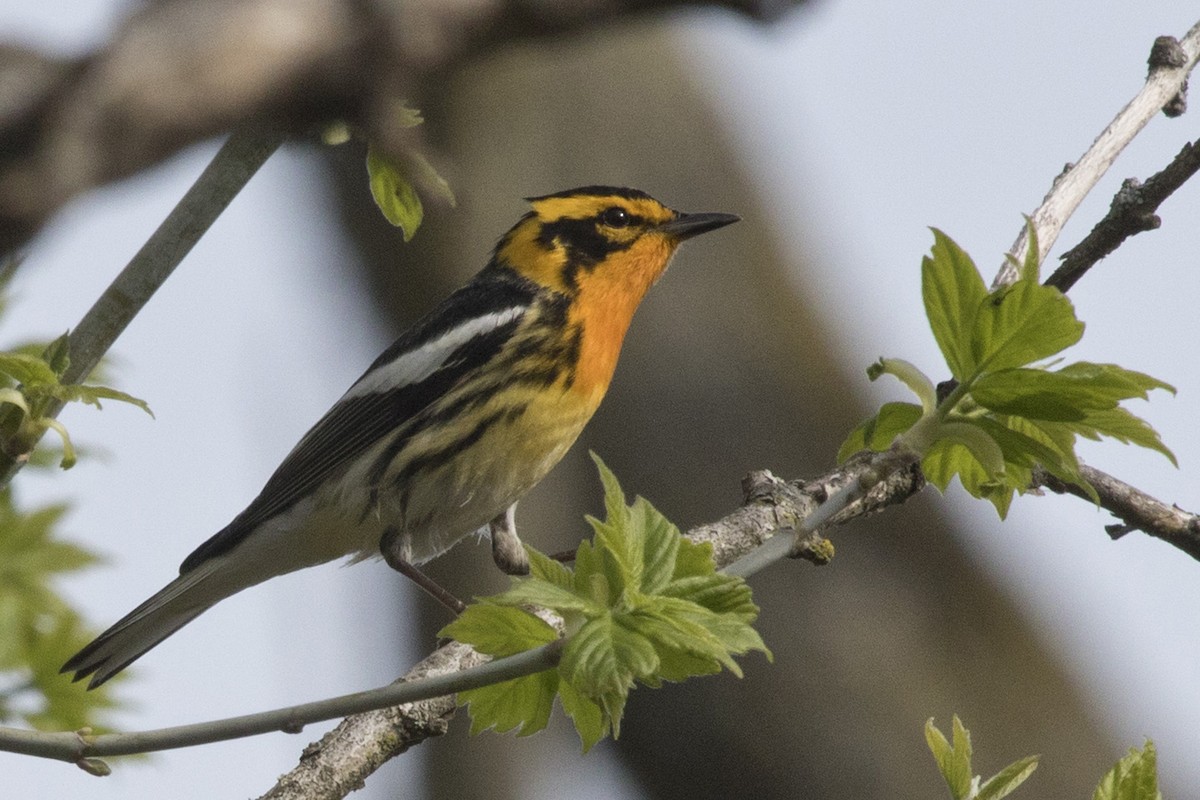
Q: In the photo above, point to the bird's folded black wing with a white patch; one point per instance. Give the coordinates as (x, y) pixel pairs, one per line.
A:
(461, 336)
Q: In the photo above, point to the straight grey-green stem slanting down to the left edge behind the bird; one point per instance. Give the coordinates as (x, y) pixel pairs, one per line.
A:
(233, 166)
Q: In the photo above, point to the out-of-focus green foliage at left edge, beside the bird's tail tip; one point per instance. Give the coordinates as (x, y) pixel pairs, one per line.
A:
(39, 630)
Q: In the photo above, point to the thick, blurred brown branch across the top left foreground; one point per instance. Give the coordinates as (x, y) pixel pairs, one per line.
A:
(183, 71)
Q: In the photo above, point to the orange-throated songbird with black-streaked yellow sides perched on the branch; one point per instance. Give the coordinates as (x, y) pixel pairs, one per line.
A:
(451, 426)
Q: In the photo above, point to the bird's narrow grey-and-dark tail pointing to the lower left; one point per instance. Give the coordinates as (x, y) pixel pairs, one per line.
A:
(177, 605)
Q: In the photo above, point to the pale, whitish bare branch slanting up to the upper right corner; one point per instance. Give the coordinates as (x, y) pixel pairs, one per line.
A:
(1169, 69)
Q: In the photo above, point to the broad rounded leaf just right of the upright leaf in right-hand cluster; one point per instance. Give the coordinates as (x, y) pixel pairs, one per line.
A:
(1022, 324)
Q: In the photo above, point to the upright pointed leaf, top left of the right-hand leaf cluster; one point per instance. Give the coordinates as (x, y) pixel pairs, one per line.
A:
(953, 293)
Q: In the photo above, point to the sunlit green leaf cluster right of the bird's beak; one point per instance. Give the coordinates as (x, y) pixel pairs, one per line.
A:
(1010, 410)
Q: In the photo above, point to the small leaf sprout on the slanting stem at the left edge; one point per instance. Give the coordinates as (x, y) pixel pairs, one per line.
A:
(34, 384)
